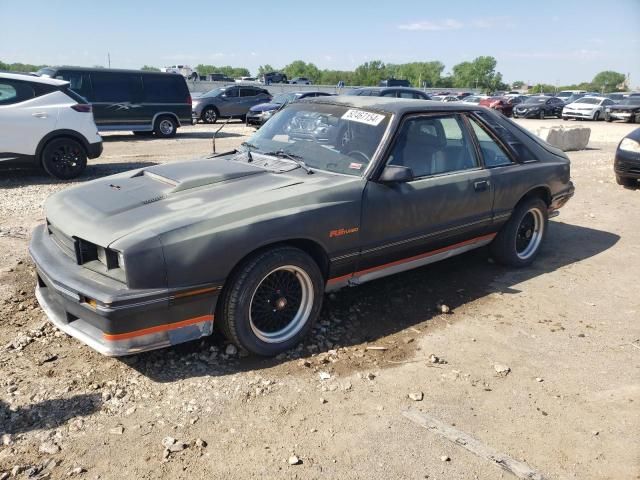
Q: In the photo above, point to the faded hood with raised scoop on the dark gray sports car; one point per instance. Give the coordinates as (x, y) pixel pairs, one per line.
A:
(175, 195)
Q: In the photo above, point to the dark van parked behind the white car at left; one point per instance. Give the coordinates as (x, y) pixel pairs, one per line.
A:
(140, 101)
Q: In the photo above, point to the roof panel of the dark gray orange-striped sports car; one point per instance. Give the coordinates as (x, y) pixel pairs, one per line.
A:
(390, 105)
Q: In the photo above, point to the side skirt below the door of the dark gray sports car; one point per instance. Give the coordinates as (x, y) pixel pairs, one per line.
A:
(410, 263)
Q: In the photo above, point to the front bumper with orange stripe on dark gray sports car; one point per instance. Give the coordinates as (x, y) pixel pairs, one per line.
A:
(108, 316)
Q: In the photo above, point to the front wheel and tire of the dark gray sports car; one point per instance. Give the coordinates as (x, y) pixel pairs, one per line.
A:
(243, 314)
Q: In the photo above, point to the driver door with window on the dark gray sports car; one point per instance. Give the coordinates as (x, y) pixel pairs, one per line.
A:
(446, 206)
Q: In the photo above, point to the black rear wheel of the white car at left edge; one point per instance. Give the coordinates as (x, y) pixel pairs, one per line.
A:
(64, 158)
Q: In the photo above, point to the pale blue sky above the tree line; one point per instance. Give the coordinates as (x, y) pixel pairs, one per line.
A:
(555, 42)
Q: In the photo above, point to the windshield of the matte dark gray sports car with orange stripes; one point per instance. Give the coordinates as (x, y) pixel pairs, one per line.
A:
(325, 137)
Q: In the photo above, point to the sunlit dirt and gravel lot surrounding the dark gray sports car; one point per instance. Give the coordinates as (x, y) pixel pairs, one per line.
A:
(567, 328)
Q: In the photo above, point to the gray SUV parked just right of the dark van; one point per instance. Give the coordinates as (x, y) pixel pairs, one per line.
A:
(228, 102)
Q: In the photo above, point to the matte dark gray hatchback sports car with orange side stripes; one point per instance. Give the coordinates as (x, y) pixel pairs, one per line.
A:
(333, 191)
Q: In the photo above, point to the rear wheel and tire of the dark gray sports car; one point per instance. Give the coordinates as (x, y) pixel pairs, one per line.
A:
(518, 242)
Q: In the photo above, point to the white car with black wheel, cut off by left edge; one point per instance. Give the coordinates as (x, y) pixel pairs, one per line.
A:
(44, 123)
